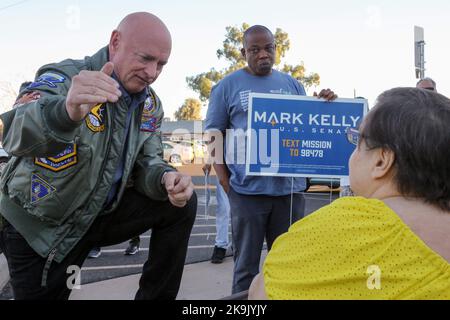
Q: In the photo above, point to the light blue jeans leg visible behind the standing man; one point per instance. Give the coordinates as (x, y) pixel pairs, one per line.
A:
(222, 217)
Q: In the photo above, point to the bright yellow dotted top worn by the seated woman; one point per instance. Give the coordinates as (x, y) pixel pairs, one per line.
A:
(354, 248)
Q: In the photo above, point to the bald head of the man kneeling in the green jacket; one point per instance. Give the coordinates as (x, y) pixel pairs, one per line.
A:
(139, 48)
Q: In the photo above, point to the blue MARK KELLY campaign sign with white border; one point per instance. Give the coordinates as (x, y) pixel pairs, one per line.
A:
(298, 136)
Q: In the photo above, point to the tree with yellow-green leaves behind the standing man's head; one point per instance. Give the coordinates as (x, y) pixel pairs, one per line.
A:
(203, 82)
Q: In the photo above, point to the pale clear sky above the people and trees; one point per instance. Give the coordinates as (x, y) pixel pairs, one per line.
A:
(362, 46)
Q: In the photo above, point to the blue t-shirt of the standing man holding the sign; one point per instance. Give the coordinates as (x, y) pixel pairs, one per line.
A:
(228, 105)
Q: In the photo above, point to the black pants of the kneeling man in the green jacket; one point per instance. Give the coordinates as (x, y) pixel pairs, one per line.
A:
(161, 274)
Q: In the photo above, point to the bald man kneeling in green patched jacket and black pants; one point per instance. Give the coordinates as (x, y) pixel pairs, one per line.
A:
(87, 168)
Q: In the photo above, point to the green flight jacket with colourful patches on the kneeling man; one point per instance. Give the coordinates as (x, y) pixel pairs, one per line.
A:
(61, 171)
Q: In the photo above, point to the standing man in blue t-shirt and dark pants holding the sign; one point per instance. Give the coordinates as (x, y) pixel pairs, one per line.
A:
(260, 206)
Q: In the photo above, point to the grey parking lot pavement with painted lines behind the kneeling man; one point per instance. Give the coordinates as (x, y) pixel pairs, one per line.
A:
(112, 263)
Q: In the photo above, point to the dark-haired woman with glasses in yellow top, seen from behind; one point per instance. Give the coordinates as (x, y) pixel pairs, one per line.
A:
(391, 241)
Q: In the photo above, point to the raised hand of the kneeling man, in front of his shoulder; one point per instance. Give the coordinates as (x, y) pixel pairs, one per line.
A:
(88, 89)
